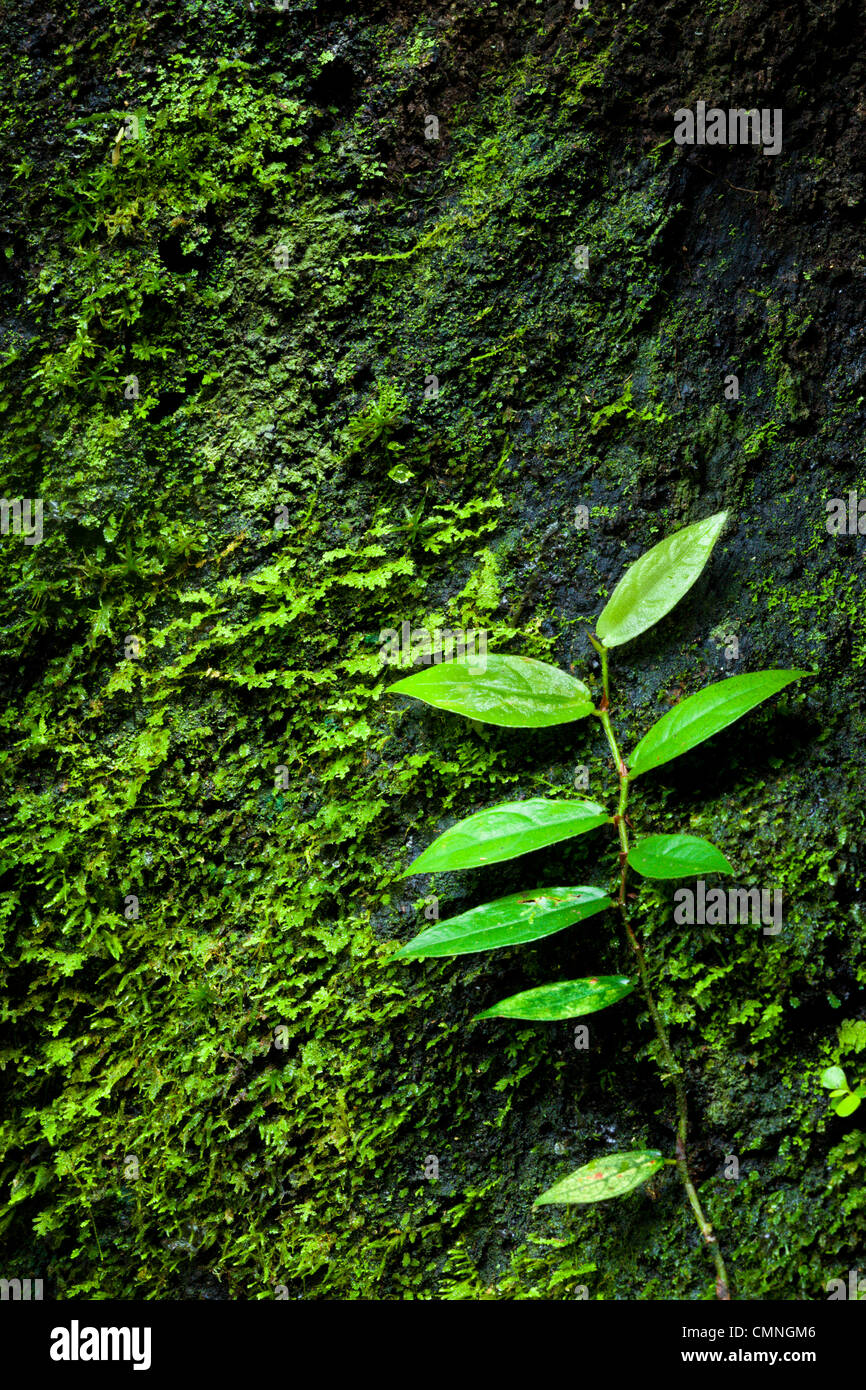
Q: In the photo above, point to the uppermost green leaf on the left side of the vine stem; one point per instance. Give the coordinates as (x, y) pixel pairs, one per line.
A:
(514, 692)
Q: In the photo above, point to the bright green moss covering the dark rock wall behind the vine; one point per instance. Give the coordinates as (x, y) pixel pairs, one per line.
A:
(222, 1082)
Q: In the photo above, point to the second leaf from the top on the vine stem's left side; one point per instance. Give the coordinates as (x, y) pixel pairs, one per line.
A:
(507, 832)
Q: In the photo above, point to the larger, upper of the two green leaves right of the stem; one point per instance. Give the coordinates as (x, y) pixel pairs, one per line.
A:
(703, 715)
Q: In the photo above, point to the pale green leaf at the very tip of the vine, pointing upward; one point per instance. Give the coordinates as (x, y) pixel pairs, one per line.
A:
(657, 583)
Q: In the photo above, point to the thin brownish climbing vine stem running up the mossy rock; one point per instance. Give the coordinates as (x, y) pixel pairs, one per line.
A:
(671, 1071)
